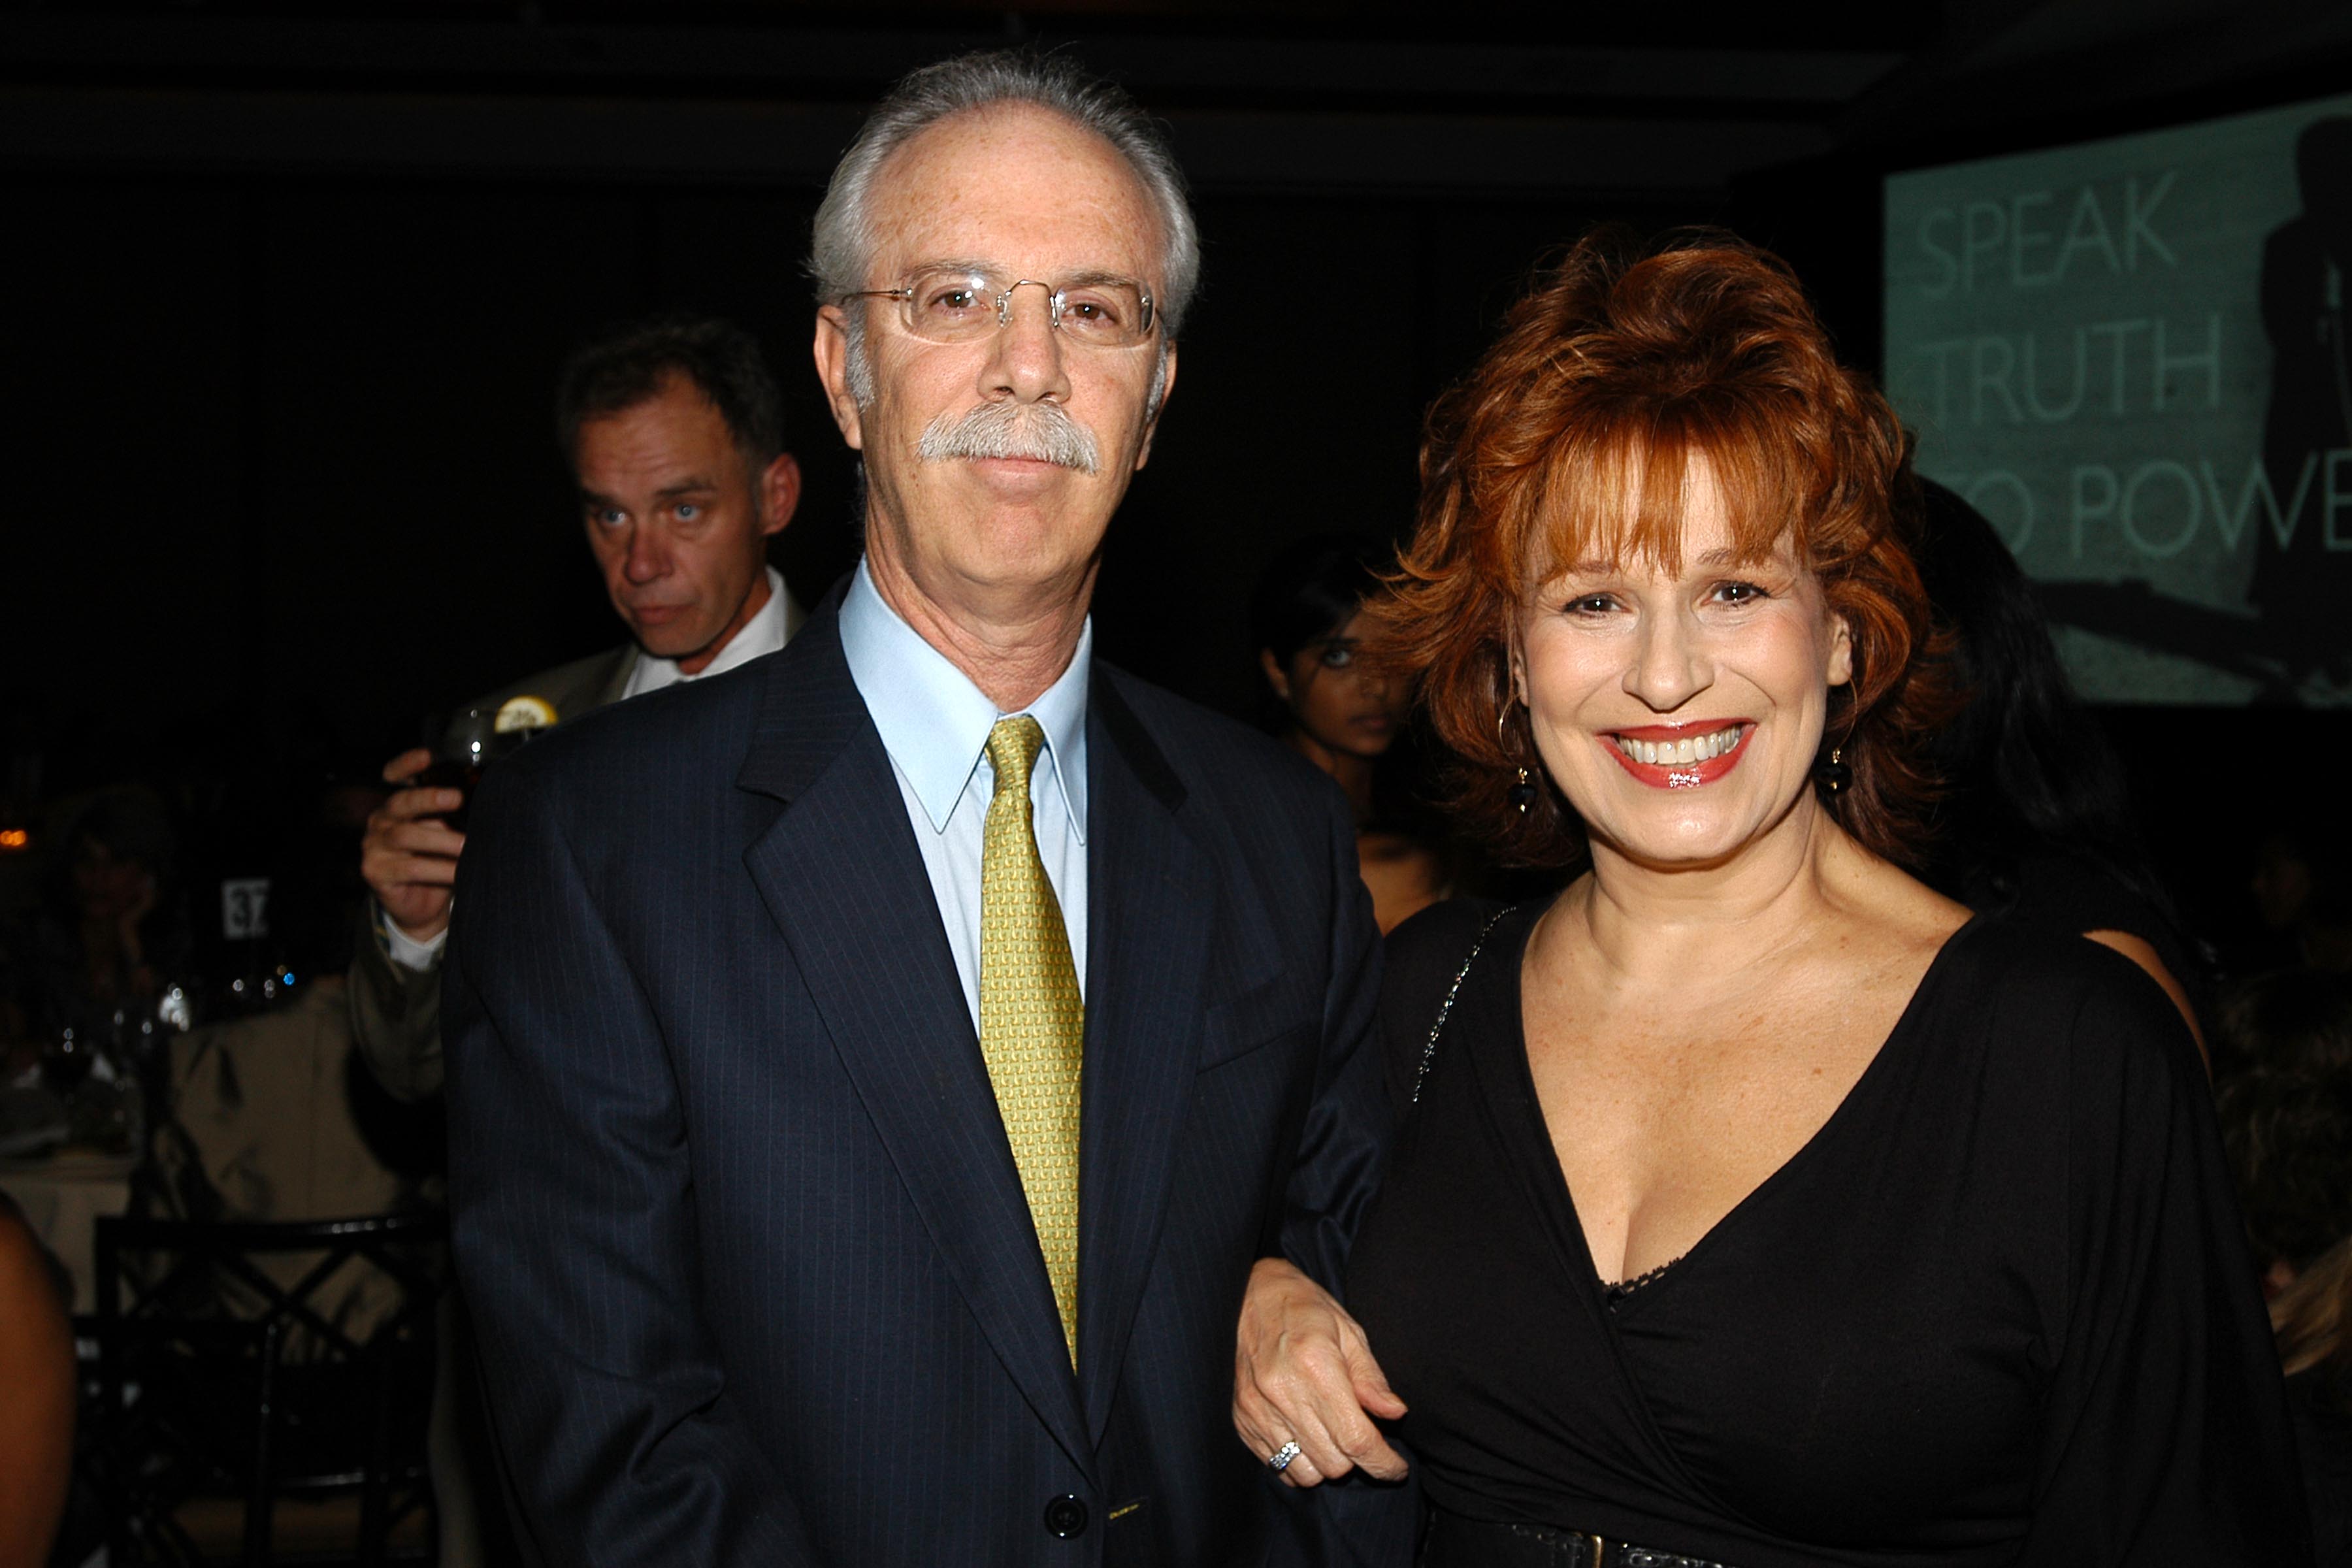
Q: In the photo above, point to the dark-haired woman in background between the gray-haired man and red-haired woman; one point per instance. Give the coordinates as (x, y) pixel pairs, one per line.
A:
(1307, 622)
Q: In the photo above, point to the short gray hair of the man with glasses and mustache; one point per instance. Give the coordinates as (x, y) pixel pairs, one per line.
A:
(843, 243)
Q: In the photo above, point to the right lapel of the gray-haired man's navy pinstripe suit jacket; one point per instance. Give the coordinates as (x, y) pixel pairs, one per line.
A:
(1151, 897)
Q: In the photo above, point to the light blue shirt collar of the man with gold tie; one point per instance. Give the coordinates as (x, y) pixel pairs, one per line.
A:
(935, 723)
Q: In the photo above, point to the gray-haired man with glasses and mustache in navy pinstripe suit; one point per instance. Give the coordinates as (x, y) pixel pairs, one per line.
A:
(782, 1254)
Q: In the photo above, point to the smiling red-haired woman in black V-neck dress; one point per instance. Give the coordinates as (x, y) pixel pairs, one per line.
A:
(1753, 1202)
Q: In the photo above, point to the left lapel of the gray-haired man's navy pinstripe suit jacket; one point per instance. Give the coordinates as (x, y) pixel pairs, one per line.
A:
(848, 890)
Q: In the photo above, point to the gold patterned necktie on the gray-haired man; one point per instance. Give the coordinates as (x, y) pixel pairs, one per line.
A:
(1034, 1021)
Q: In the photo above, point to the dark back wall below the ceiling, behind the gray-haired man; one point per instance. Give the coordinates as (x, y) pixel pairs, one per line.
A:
(290, 436)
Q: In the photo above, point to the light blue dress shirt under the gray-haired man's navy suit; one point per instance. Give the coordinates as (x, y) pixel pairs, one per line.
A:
(935, 725)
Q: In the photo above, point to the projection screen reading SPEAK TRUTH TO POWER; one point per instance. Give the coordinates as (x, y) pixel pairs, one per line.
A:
(2132, 359)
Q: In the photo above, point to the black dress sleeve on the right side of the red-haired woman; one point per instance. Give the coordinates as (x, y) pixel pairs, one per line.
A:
(2165, 1435)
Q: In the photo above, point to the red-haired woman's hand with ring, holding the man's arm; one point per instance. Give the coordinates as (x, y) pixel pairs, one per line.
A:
(1304, 1374)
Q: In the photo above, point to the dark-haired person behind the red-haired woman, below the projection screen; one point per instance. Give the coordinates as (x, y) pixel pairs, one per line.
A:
(2033, 812)
